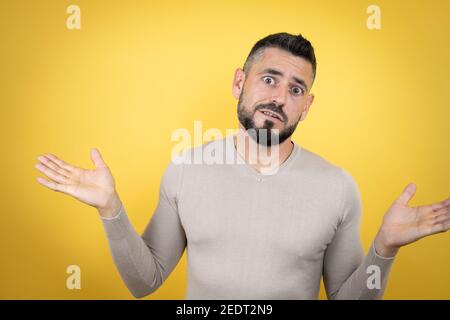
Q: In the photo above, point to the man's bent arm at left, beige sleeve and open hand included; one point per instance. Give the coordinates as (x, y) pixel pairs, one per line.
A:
(143, 262)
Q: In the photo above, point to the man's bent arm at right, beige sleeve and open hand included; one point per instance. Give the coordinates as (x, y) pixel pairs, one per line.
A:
(348, 274)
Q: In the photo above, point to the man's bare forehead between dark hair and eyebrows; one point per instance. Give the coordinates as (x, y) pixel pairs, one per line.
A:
(285, 62)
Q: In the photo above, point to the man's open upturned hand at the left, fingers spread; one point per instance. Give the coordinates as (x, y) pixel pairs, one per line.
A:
(93, 187)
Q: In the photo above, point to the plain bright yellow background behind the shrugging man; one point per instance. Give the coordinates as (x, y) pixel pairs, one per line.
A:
(137, 70)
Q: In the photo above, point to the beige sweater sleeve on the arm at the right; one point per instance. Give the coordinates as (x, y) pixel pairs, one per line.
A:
(347, 273)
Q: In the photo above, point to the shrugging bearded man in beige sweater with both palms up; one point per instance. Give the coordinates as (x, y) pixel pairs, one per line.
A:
(249, 234)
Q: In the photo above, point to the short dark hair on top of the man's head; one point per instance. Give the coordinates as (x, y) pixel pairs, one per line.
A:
(297, 45)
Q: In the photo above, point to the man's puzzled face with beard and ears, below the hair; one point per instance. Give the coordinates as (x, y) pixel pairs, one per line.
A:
(274, 94)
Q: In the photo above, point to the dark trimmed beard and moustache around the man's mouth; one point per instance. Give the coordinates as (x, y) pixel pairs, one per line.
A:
(264, 135)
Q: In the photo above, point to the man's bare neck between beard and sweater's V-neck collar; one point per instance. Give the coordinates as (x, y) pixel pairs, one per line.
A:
(261, 157)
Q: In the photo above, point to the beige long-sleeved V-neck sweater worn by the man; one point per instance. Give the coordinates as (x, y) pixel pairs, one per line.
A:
(252, 236)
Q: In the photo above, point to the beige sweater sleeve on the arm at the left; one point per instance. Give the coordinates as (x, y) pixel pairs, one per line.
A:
(144, 262)
